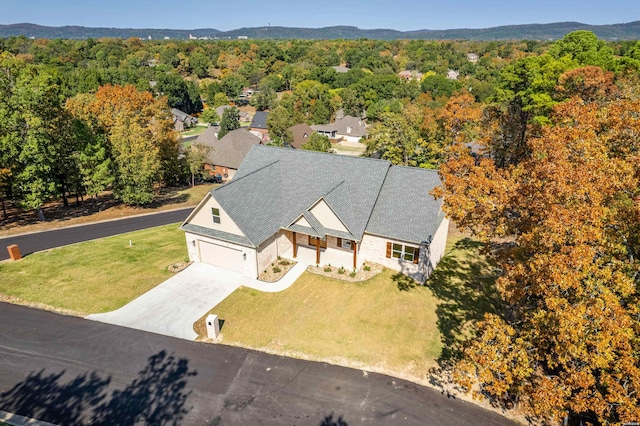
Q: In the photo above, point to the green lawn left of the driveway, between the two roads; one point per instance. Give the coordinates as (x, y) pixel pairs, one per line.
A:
(95, 276)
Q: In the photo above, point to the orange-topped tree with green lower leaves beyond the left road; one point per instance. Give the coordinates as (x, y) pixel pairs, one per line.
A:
(140, 135)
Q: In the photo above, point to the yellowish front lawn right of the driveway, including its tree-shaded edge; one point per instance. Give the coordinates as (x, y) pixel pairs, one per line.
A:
(386, 324)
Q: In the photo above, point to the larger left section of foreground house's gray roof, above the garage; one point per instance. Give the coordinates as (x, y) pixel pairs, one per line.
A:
(274, 186)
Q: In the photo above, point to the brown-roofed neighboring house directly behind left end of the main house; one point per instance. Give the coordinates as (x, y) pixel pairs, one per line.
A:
(227, 153)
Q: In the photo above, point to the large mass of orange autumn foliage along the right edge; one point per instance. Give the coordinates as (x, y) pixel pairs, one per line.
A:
(568, 342)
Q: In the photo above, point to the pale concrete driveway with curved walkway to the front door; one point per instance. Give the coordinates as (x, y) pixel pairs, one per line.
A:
(172, 307)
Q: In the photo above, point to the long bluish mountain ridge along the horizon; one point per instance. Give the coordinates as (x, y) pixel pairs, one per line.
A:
(551, 31)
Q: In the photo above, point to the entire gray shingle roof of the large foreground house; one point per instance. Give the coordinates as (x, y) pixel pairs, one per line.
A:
(274, 187)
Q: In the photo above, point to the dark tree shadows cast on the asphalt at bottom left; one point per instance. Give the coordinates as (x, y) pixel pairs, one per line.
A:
(156, 396)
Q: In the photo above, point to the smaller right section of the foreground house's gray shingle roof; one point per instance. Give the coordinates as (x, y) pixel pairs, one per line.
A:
(405, 210)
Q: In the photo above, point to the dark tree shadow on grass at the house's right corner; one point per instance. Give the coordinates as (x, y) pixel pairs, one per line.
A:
(464, 284)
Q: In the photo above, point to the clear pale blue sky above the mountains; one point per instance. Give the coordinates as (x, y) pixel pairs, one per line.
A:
(395, 14)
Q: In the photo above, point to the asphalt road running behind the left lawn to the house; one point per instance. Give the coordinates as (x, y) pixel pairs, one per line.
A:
(30, 243)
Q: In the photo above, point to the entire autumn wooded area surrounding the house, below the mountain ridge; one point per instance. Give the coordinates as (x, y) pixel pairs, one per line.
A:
(536, 142)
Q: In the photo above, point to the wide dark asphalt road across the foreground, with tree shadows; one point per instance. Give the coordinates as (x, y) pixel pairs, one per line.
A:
(71, 371)
